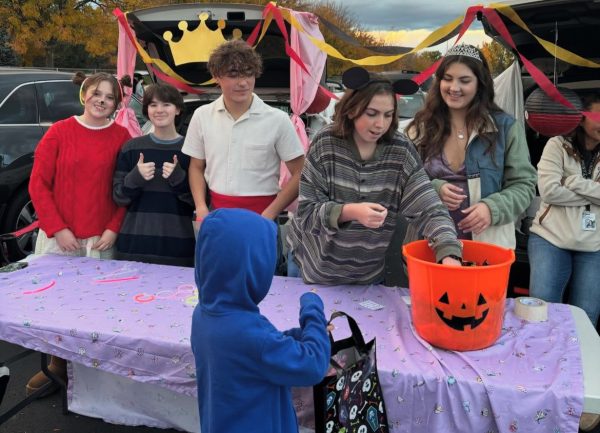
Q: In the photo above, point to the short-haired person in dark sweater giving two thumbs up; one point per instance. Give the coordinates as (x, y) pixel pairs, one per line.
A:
(151, 181)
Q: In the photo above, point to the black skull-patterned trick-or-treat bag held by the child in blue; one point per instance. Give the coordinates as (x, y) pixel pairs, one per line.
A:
(349, 399)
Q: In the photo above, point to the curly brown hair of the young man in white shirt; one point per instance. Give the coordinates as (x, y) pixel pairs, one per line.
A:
(235, 55)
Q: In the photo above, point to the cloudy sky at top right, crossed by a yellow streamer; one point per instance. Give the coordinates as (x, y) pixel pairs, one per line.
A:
(408, 22)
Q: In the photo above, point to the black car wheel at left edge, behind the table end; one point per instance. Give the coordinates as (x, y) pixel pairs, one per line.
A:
(19, 214)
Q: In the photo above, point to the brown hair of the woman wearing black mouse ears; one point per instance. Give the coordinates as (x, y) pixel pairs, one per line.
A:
(355, 102)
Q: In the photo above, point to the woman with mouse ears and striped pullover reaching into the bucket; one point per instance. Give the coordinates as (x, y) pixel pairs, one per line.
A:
(360, 174)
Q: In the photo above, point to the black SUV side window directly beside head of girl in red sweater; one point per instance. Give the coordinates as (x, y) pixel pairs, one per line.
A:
(58, 100)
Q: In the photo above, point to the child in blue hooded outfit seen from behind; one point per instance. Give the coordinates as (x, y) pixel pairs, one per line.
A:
(244, 365)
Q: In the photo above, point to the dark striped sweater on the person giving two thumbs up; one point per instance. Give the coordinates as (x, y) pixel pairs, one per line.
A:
(158, 224)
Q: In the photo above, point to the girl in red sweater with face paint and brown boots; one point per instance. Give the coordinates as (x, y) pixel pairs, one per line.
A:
(71, 183)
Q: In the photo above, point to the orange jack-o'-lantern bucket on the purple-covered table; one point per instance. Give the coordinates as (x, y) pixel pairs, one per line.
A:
(458, 308)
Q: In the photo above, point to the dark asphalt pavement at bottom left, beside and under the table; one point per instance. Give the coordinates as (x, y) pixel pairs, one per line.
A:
(45, 415)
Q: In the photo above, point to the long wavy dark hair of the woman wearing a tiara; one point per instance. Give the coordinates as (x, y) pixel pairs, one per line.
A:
(431, 126)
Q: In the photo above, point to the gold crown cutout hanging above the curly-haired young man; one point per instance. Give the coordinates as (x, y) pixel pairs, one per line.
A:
(197, 45)
